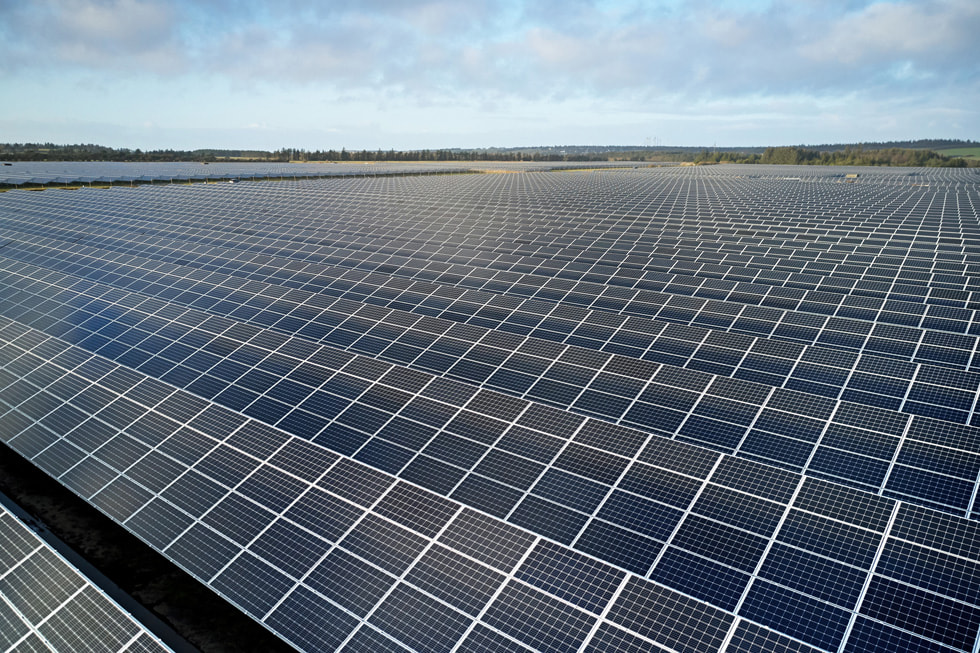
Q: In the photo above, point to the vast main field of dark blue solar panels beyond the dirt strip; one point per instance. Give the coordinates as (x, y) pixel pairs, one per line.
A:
(619, 410)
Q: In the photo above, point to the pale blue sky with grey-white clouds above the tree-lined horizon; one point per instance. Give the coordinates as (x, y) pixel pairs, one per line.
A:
(415, 74)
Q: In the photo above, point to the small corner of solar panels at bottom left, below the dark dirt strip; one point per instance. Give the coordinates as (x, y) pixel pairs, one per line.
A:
(48, 605)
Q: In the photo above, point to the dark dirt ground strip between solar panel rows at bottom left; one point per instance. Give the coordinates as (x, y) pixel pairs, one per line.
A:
(201, 617)
